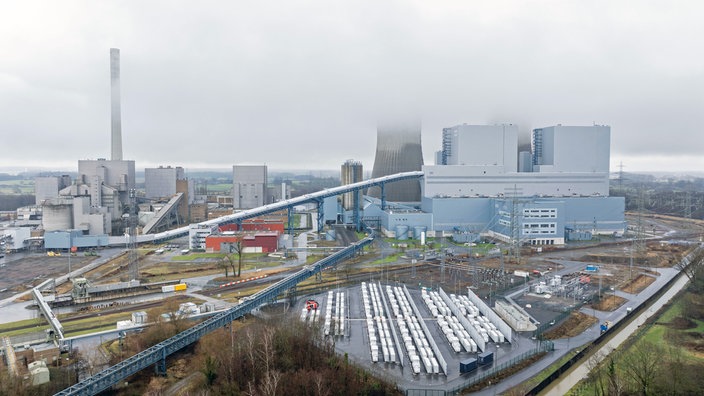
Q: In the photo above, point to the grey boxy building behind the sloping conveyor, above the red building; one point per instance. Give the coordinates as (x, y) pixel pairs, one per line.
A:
(249, 186)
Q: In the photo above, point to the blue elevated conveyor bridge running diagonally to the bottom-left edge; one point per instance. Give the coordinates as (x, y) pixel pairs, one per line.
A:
(158, 353)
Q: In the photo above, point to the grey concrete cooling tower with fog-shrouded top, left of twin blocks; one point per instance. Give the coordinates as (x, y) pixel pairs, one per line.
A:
(398, 149)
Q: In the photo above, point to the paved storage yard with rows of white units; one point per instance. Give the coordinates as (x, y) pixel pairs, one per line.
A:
(416, 336)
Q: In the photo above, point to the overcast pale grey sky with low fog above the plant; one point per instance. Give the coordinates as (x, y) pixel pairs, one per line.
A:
(300, 84)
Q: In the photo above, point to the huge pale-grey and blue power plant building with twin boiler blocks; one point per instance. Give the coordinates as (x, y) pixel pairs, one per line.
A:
(484, 186)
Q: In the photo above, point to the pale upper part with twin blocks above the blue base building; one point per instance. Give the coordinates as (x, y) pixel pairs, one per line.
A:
(482, 161)
